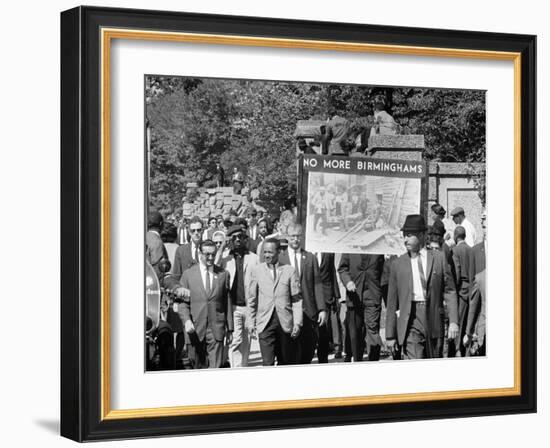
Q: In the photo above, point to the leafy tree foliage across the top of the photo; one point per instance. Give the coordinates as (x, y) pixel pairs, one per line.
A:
(250, 124)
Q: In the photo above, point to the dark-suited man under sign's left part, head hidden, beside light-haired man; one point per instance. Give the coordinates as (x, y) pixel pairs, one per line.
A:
(331, 333)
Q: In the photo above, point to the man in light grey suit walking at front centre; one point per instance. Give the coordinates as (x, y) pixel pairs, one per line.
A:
(275, 307)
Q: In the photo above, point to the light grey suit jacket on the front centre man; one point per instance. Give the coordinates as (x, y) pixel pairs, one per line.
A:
(281, 296)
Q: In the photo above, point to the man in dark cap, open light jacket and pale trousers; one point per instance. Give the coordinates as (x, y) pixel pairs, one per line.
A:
(239, 264)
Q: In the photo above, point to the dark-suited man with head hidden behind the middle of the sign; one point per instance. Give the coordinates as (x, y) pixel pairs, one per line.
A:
(361, 276)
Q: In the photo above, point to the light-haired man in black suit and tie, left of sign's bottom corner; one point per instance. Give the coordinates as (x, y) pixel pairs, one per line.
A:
(313, 300)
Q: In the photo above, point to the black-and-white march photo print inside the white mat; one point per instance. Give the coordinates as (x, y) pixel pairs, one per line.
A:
(296, 223)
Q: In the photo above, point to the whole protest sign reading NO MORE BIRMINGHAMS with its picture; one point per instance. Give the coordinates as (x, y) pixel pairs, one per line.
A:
(359, 205)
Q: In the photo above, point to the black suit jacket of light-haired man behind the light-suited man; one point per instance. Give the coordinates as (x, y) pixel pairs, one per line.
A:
(311, 287)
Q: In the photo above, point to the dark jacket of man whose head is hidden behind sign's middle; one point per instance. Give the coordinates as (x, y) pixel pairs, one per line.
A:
(365, 271)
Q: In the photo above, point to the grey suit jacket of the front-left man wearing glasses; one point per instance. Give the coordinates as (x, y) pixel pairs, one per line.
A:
(207, 311)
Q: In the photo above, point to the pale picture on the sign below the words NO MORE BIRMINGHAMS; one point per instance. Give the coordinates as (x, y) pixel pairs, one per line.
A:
(353, 213)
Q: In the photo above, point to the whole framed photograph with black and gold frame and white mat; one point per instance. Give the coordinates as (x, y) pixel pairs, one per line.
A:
(265, 205)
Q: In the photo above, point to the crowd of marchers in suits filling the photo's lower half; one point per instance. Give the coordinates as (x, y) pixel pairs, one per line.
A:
(225, 284)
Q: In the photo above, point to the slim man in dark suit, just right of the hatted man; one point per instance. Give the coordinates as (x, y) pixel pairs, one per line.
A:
(461, 262)
